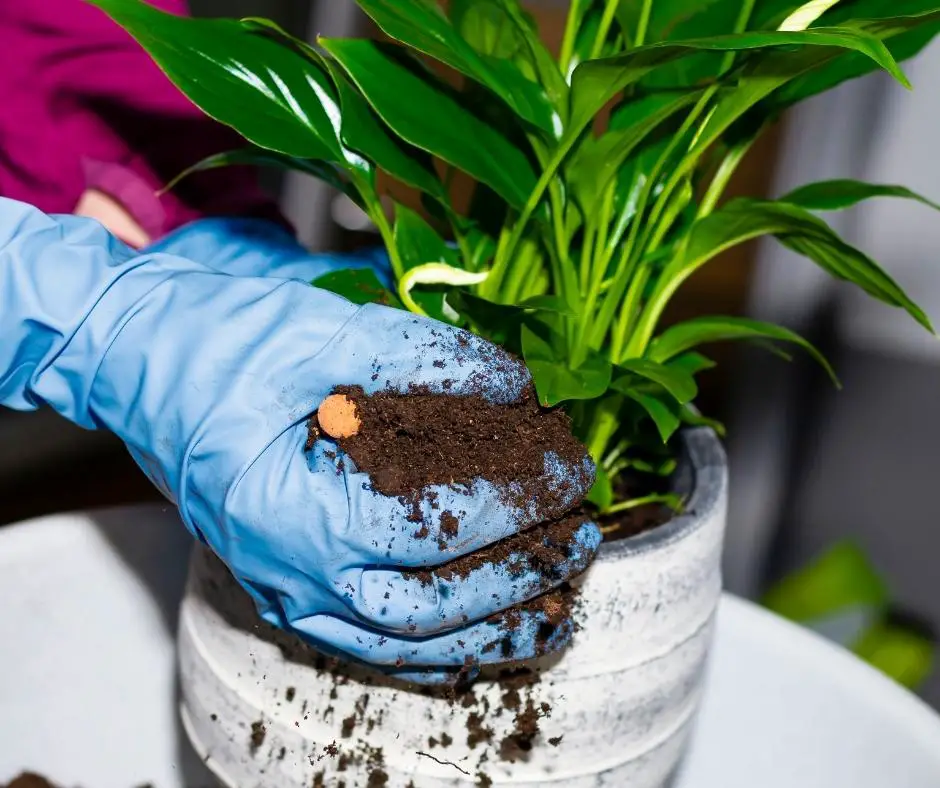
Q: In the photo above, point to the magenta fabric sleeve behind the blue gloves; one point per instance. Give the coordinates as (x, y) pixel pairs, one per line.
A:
(84, 106)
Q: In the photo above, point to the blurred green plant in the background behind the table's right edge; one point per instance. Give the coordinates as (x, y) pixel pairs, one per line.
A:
(842, 596)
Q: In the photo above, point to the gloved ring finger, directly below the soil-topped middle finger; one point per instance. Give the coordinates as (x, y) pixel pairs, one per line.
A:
(534, 629)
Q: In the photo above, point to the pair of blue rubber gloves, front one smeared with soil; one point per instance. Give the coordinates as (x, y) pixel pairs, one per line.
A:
(209, 377)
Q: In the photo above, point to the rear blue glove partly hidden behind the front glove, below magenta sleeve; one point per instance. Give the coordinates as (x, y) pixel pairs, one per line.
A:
(257, 247)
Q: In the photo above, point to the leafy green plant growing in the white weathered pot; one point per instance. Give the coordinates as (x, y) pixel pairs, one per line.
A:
(599, 173)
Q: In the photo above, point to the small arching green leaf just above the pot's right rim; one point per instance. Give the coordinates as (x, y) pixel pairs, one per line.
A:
(683, 336)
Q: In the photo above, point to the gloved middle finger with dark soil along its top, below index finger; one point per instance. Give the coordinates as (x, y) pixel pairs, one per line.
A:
(475, 586)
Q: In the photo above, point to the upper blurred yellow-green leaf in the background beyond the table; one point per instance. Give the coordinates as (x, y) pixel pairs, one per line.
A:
(842, 577)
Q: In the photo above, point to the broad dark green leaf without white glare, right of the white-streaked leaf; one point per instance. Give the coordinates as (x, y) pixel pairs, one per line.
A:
(431, 119)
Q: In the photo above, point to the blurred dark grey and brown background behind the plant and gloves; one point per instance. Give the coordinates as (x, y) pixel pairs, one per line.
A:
(810, 466)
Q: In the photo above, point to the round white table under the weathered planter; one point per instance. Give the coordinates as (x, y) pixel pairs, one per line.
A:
(87, 695)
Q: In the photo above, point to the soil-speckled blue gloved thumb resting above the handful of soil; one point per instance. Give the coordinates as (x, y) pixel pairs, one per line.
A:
(386, 349)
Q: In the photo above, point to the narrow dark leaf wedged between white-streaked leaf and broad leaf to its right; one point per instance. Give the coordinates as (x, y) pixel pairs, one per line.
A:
(364, 132)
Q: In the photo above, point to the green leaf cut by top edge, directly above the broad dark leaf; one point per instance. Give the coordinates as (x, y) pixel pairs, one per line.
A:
(422, 25)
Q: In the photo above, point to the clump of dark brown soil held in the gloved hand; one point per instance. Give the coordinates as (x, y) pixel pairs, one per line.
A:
(407, 442)
